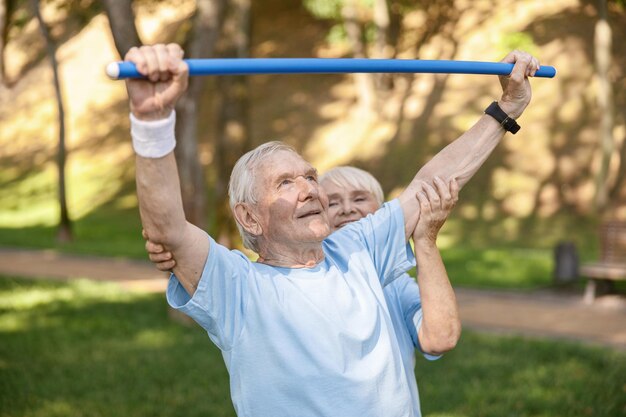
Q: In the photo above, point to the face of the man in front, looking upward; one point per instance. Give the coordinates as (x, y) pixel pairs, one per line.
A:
(292, 207)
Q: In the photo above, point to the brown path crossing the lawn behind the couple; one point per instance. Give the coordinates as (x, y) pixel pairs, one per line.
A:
(537, 313)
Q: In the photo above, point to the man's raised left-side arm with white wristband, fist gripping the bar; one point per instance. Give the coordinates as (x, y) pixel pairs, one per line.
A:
(152, 128)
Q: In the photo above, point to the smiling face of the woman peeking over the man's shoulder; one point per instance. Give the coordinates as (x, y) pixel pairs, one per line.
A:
(348, 204)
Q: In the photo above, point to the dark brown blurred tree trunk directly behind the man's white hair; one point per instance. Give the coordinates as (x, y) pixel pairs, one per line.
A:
(233, 137)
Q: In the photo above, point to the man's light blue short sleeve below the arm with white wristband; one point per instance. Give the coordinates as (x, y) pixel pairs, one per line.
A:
(218, 304)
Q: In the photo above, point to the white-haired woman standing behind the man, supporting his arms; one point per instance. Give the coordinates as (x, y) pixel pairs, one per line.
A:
(352, 195)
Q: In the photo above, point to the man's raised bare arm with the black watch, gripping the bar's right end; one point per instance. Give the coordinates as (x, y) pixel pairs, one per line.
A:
(463, 157)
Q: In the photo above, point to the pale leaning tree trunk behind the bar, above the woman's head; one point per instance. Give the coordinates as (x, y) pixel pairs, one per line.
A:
(364, 82)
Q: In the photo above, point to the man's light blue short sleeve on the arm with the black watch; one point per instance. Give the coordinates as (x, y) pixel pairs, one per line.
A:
(384, 237)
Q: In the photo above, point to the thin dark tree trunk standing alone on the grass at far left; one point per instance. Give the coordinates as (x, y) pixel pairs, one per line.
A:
(64, 231)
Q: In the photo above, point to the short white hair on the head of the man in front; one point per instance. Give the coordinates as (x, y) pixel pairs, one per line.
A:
(242, 186)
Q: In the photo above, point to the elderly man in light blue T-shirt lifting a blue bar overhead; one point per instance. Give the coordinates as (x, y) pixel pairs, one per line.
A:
(305, 330)
